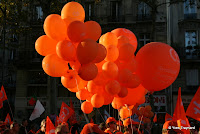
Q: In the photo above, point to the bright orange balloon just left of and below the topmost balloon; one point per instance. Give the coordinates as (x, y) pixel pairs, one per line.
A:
(55, 27)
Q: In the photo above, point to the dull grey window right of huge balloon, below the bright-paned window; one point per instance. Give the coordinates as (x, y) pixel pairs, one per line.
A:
(192, 77)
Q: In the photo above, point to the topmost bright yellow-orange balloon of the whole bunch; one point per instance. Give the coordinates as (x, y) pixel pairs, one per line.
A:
(73, 11)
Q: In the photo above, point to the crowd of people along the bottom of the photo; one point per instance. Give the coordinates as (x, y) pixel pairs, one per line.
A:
(111, 126)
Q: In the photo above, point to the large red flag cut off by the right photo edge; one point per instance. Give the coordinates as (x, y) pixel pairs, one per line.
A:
(193, 109)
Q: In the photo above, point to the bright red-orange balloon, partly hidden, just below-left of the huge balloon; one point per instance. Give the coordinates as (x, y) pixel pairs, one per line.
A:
(129, 99)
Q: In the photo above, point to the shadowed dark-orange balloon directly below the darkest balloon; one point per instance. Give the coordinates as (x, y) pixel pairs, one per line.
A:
(88, 72)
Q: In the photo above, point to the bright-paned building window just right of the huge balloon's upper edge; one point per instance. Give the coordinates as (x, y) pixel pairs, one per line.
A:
(190, 41)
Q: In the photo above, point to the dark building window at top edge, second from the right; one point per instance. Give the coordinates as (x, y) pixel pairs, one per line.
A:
(143, 11)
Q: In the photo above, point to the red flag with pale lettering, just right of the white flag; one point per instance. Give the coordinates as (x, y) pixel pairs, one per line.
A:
(65, 113)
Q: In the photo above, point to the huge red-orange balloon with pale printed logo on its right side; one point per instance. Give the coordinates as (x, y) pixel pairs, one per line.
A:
(158, 66)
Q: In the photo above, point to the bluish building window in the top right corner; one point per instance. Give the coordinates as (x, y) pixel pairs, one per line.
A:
(190, 9)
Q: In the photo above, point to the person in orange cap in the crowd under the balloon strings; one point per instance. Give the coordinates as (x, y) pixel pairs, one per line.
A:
(111, 125)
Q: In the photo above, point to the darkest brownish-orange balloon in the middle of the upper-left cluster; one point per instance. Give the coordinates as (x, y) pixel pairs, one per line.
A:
(87, 51)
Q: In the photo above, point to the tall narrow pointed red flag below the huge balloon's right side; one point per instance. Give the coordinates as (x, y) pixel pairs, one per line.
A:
(179, 115)
